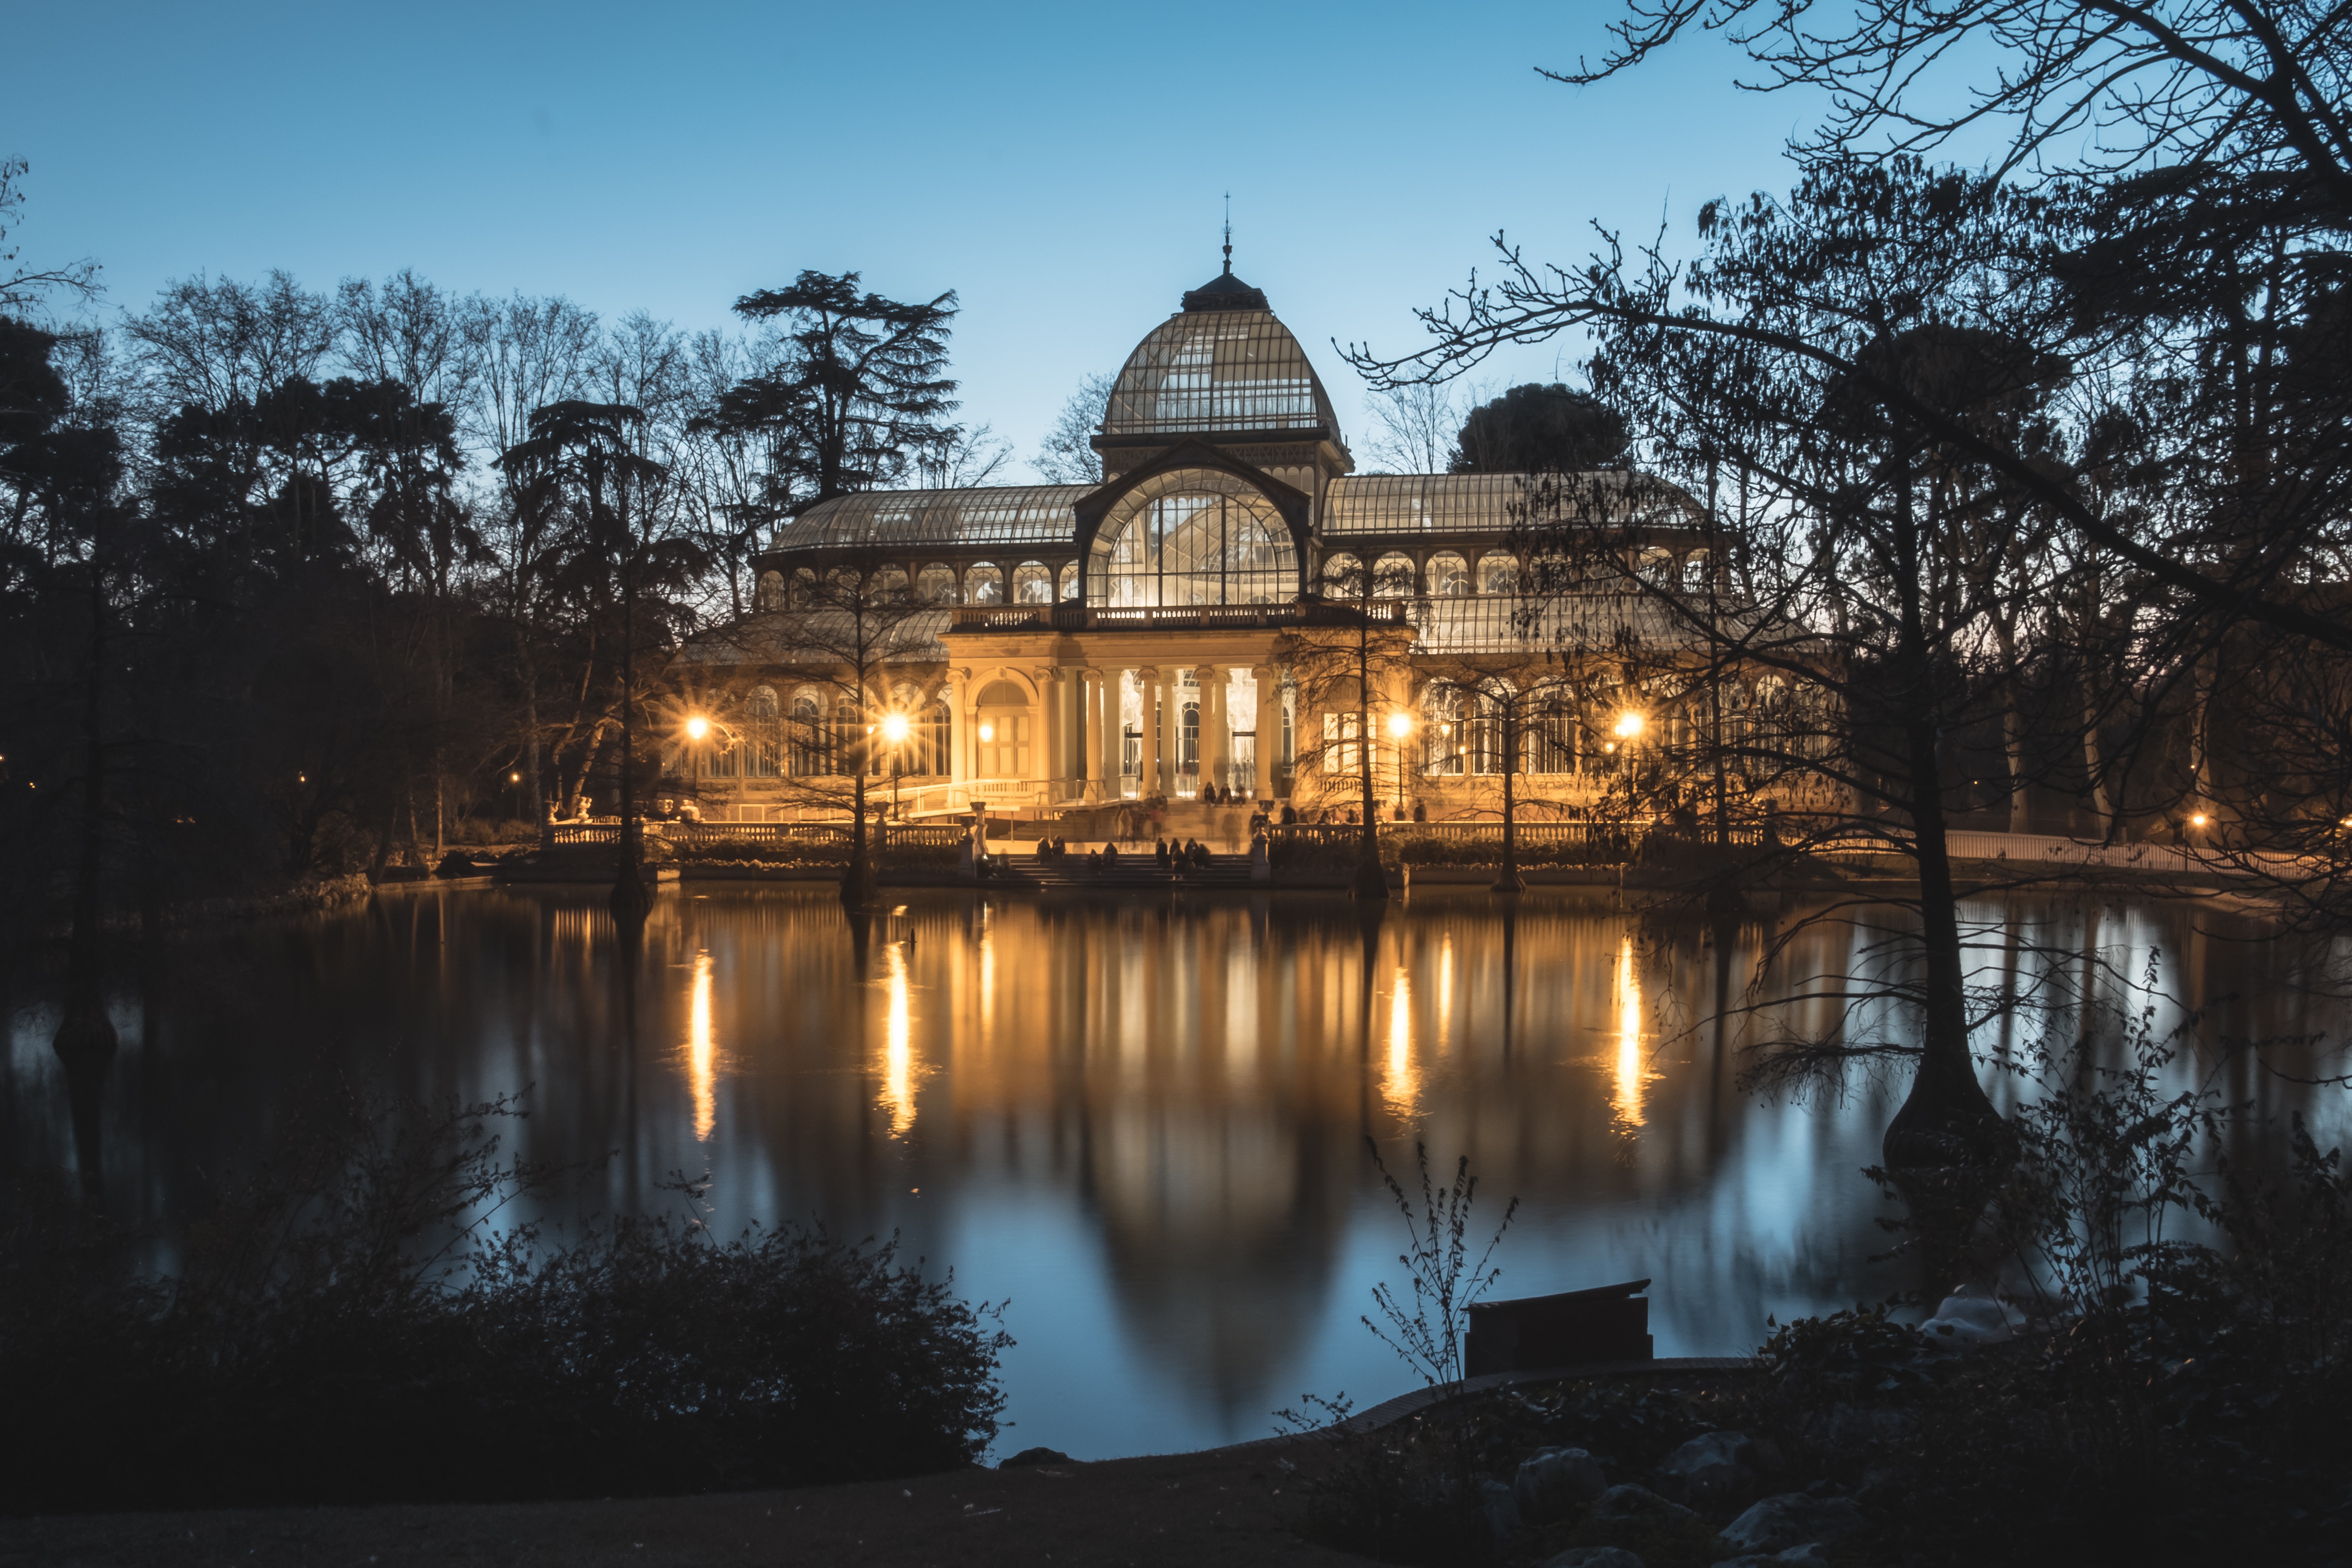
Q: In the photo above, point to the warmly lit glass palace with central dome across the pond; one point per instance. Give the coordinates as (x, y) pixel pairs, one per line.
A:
(1147, 636)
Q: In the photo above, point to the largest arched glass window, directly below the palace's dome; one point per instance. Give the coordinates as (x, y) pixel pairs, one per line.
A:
(1194, 537)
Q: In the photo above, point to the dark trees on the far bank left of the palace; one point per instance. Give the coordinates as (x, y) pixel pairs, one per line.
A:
(309, 582)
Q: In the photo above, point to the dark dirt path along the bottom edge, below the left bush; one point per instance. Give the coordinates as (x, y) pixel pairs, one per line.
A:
(1205, 1508)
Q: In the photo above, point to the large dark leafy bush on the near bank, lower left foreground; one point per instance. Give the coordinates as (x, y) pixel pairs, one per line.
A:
(352, 1329)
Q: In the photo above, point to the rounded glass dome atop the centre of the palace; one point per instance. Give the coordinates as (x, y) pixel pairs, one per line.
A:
(1217, 368)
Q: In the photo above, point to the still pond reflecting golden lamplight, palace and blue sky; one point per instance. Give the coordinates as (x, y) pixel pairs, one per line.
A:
(1140, 1125)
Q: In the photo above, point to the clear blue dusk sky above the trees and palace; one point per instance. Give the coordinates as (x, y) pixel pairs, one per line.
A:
(1060, 166)
